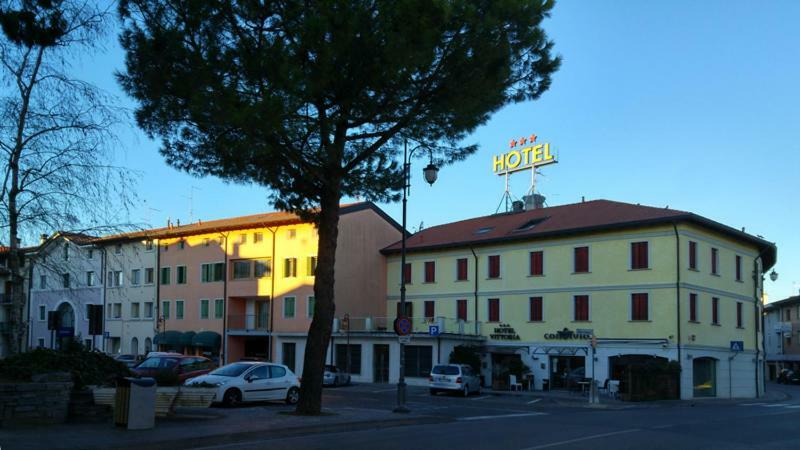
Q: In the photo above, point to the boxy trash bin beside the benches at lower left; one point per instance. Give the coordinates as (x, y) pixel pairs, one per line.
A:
(135, 403)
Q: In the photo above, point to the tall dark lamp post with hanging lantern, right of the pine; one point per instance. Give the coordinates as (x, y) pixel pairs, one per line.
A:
(431, 172)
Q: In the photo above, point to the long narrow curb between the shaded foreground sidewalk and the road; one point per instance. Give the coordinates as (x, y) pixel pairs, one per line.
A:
(232, 438)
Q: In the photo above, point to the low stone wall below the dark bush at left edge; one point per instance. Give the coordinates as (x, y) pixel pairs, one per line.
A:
(34, 403)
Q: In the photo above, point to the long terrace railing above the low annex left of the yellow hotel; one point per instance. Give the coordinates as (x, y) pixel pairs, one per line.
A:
(420, 325)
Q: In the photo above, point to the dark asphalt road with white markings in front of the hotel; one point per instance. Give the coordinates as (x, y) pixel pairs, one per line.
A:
(517, 422)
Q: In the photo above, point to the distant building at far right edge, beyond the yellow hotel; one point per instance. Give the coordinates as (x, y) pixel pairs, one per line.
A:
(782, 335)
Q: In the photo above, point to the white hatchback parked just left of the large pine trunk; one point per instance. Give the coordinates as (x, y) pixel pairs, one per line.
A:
(250, 381)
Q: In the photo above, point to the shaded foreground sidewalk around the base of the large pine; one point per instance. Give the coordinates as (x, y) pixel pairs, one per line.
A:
(208, 426)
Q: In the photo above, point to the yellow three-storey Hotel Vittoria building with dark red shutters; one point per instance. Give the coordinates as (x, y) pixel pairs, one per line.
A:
(641, 282)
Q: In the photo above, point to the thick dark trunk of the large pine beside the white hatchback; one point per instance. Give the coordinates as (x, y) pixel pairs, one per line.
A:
(319, 334)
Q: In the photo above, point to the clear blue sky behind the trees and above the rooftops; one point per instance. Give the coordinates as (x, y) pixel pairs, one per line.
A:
(681, 103)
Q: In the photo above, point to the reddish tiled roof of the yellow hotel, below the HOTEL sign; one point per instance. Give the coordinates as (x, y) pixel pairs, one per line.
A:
(584, 217)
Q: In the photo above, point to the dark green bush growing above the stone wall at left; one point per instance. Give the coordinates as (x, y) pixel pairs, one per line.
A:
(85, 366)
